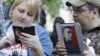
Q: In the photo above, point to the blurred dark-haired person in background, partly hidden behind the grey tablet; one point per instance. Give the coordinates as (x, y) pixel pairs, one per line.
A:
(54, 36)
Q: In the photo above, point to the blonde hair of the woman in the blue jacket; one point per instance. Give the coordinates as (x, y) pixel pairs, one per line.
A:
(32, 5)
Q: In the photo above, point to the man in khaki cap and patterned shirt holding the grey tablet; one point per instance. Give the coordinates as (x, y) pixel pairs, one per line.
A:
(88, 15)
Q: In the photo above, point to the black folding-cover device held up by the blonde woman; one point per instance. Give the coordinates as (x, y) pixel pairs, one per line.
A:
(29, 30)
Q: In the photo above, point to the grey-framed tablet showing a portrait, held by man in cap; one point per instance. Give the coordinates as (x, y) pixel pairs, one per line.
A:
(71, 35)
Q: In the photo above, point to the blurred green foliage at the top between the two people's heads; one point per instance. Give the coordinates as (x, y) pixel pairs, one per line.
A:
(53, 7)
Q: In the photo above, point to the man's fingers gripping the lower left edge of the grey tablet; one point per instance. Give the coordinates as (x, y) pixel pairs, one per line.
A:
(60, 49)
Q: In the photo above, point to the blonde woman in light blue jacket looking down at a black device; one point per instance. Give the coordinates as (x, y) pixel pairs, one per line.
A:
(25, 13)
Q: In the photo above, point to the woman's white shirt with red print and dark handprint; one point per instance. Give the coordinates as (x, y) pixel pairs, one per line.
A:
(15, 49)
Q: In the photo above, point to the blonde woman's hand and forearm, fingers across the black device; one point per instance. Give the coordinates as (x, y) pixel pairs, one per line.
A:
(32, 42)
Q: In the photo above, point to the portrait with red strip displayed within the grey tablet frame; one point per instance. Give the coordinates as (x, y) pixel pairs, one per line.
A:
(70, 39)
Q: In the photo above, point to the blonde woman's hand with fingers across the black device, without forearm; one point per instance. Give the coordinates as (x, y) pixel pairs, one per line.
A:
(29, 40)
